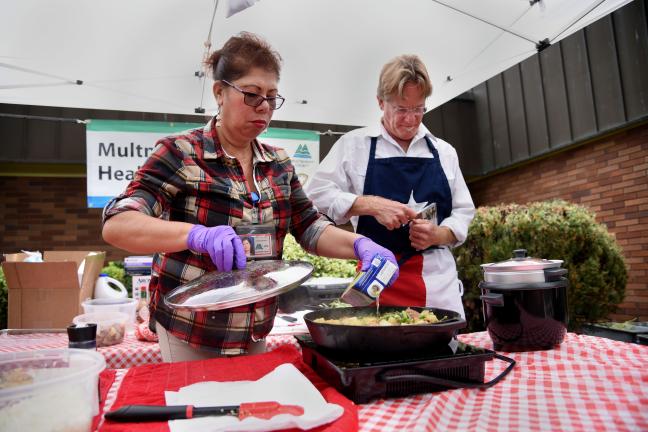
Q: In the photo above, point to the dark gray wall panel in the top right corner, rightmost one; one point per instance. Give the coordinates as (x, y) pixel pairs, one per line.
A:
(631, 34)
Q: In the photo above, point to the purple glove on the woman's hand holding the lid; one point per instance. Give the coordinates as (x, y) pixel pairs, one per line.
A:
(221, 243)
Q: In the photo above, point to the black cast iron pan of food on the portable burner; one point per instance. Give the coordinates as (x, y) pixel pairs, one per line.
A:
(381, 340)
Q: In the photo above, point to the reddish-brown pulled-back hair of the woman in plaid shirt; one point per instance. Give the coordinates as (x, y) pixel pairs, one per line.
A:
(242, 53)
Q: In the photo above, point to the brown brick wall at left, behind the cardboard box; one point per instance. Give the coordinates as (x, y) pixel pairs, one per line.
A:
(49, 214)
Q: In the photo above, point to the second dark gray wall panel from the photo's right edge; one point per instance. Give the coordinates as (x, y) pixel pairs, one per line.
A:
(608, 95)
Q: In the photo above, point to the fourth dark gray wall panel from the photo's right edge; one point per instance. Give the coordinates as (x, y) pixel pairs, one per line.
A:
(557, 107)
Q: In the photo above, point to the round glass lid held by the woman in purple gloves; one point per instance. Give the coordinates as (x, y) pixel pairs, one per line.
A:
(223, 290)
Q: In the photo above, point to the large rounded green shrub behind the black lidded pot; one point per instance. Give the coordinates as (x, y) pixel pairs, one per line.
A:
(552, 230)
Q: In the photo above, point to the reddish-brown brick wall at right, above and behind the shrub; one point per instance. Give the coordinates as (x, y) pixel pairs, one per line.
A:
(610, 176)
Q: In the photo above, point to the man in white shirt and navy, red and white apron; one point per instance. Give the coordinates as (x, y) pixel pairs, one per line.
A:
(380, 177)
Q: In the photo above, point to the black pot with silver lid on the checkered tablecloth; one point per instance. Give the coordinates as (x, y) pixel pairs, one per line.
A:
(526, 316)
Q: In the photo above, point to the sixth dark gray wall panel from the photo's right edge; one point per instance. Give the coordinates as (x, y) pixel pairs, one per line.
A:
(515, 113)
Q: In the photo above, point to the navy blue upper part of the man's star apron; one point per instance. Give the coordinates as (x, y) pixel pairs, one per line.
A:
(395, 178)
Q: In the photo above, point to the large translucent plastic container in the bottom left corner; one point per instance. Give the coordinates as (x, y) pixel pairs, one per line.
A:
(49, 390)
